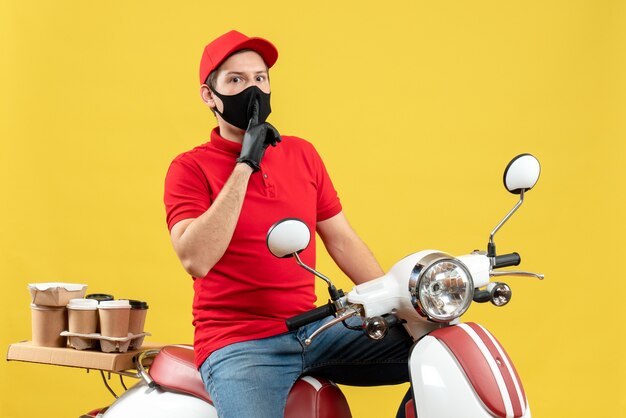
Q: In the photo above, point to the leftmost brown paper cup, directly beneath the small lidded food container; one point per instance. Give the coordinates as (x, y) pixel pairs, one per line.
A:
(47, 324)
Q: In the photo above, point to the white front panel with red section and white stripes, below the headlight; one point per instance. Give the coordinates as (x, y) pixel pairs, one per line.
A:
(462, 370)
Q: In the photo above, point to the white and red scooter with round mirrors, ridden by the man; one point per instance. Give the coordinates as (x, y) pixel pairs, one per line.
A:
(456, 369)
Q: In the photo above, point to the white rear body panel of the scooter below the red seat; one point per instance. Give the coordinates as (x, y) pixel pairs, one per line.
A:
(141, 400)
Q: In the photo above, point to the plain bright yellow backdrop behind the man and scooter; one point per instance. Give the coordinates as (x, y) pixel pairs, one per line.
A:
(416, 107)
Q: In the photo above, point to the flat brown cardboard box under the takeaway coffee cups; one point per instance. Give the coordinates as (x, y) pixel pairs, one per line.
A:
(113, 362)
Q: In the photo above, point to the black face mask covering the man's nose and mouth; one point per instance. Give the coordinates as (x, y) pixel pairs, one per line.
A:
(238, 108)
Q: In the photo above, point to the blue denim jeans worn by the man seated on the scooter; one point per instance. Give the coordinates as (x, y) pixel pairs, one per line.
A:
(253, 378)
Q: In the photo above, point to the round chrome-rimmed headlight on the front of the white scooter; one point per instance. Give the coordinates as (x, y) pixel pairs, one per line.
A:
(442, 287)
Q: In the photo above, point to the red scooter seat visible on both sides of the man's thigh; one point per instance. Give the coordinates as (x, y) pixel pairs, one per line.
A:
(310, 397)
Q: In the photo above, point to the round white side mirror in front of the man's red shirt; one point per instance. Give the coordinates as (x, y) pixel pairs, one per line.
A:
(288, 237)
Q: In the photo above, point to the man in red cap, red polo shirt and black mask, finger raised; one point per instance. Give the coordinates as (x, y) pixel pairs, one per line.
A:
(221, 199)
